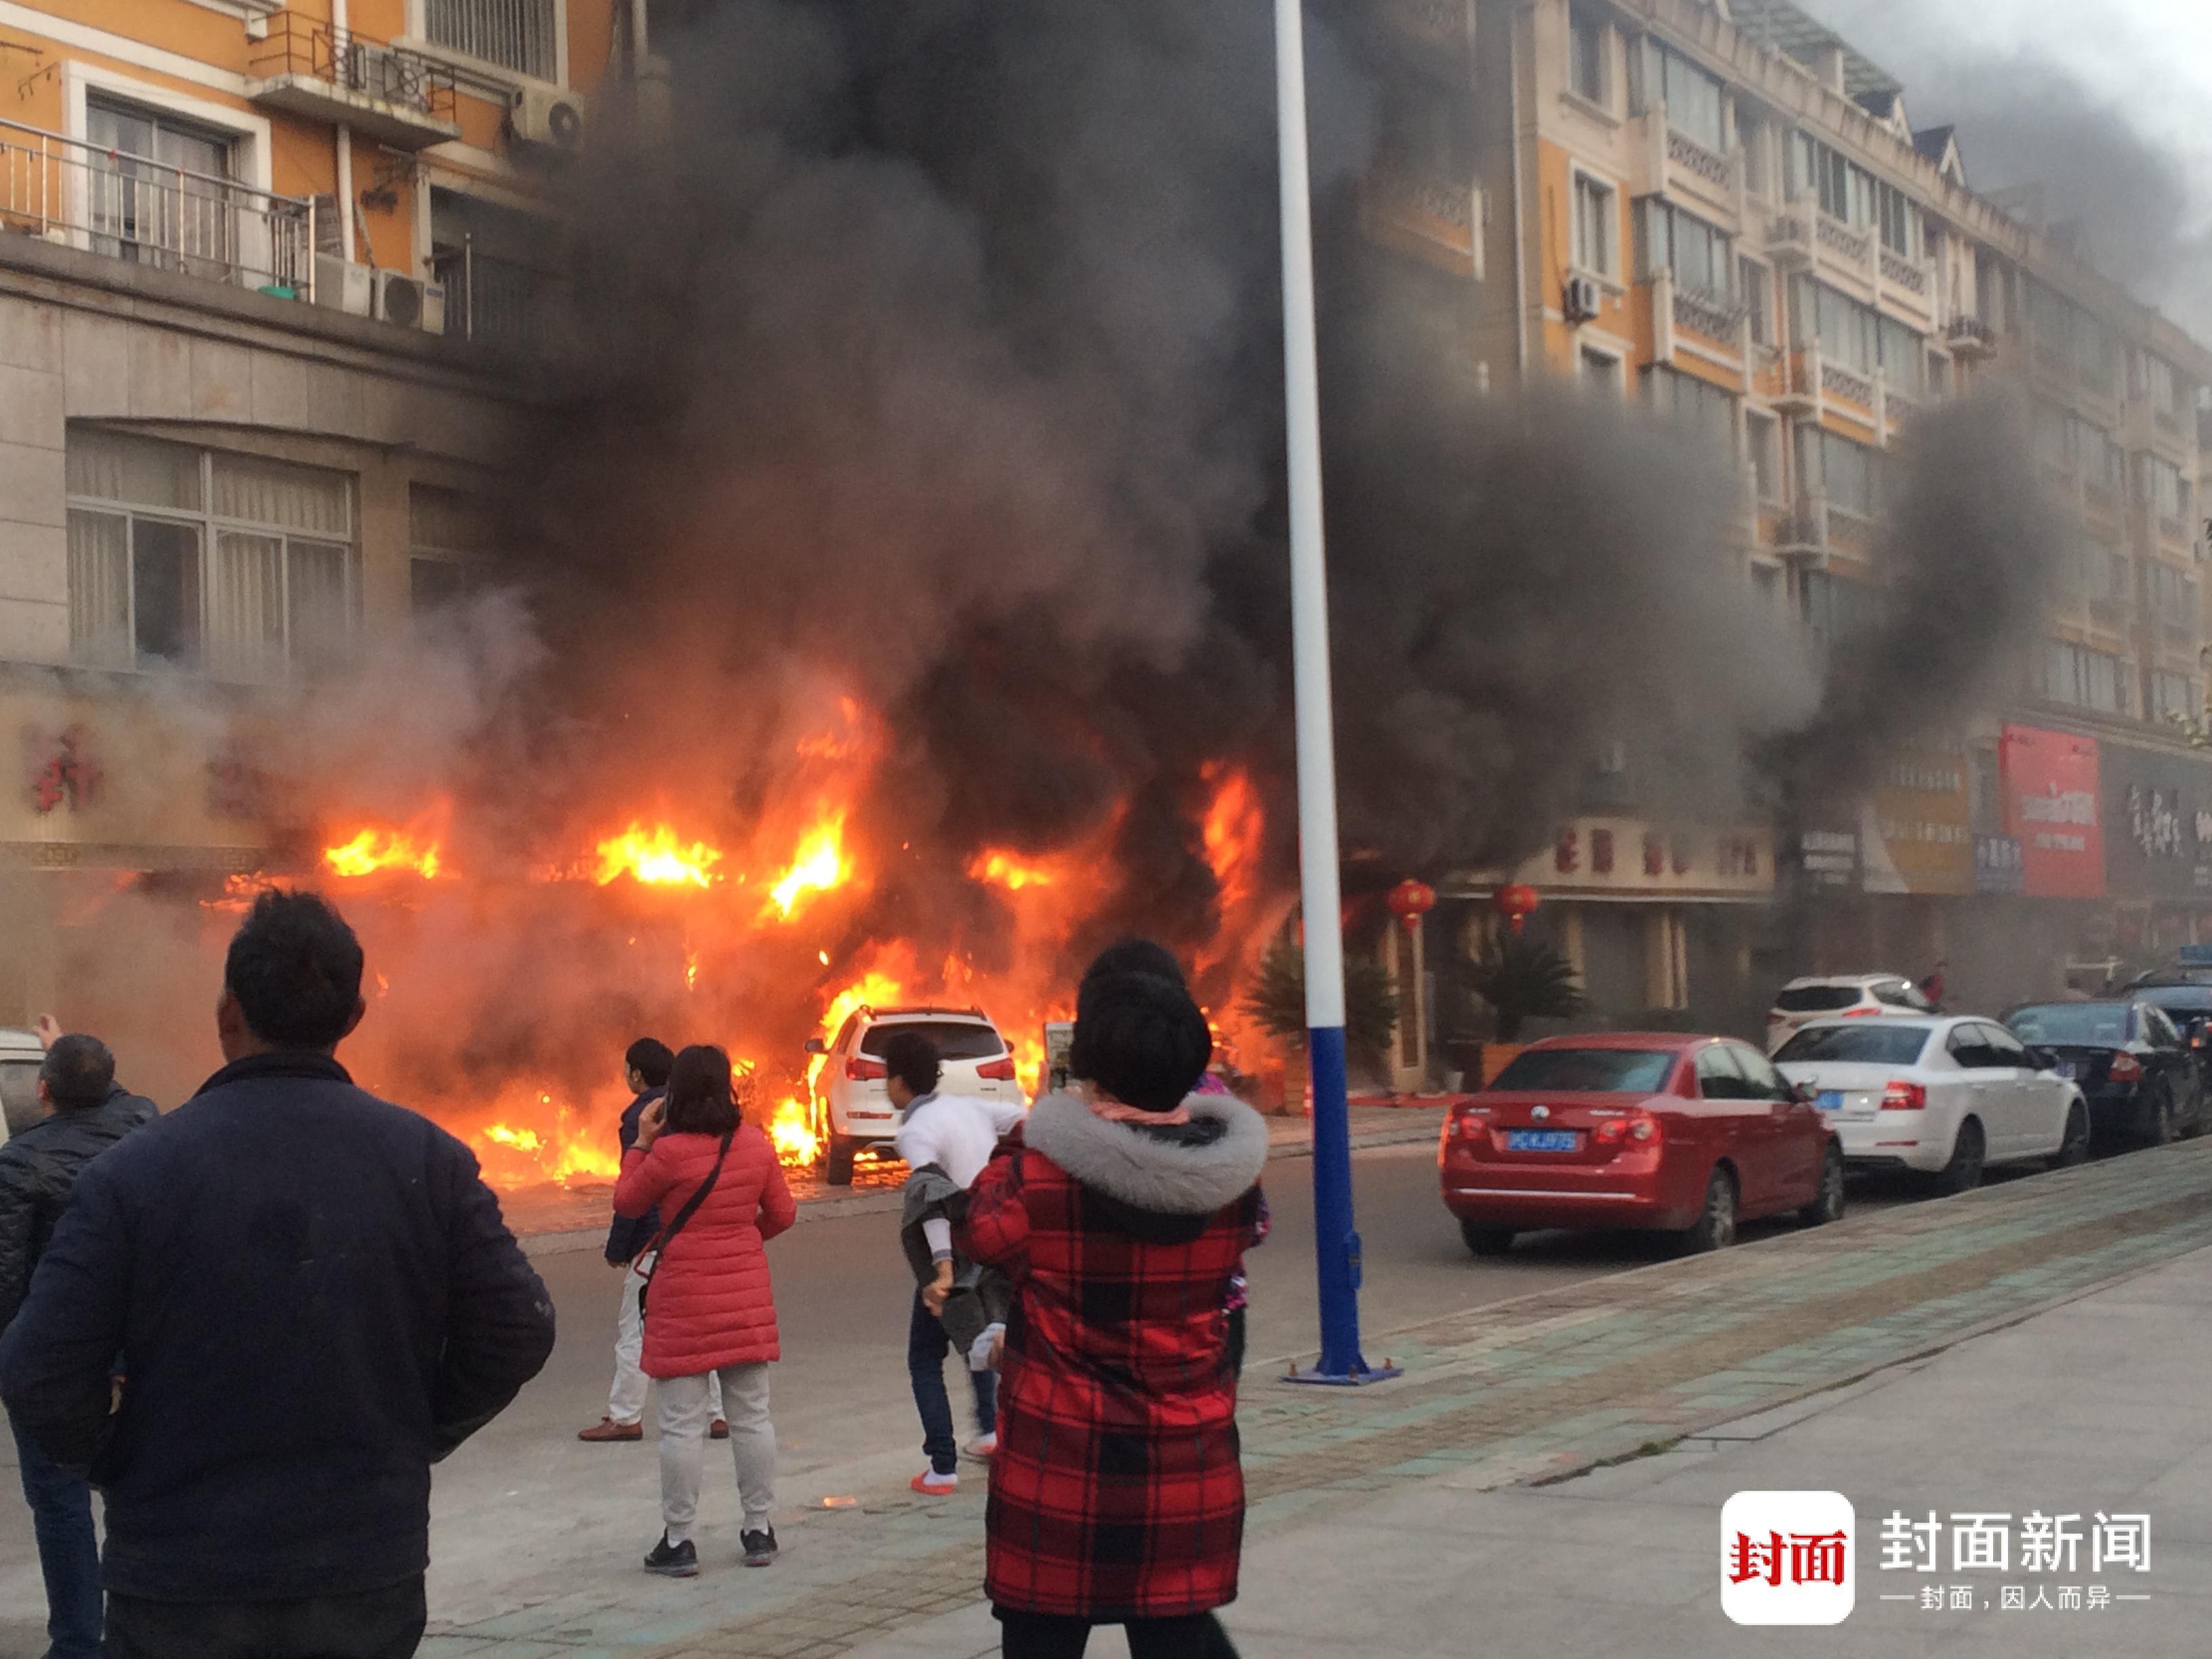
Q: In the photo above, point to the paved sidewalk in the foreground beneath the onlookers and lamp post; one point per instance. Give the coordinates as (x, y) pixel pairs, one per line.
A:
(1379, 1516)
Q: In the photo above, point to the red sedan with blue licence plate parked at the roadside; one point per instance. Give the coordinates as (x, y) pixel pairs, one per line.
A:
(1671, 1134)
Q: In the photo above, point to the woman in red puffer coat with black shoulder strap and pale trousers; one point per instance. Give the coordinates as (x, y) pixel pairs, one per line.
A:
(709, 1304)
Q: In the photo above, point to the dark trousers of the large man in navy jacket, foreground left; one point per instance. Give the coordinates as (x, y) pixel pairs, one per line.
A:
(382, 1625)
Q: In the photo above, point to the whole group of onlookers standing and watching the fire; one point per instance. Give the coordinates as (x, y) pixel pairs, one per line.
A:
(289, 1286)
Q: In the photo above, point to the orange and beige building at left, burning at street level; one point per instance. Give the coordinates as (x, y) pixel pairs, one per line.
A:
(264, 275)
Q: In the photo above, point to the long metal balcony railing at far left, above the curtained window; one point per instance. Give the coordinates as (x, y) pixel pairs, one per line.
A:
(154, 213)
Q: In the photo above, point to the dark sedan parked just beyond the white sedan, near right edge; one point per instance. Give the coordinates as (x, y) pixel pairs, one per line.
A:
(2133, 1067)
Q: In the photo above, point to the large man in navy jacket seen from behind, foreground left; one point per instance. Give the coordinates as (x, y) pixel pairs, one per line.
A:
(311, 1300)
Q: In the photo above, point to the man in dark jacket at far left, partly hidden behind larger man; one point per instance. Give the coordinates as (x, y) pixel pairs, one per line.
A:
(87, 1114)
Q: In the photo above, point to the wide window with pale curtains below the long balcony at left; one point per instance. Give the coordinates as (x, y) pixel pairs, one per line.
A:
(202, 561)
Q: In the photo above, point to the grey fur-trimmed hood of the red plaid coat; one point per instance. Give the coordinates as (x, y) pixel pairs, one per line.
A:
(1162, 1173)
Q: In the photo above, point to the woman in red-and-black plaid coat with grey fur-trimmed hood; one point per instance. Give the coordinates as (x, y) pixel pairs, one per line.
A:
(1120, 1215)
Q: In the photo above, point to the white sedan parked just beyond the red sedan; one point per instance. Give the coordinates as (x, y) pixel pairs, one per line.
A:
(1943, 1098)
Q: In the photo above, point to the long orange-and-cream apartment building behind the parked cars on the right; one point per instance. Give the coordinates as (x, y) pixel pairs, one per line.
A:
(1724, 213)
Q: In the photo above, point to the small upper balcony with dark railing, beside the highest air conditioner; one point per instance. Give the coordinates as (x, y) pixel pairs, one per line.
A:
(388, 94)
